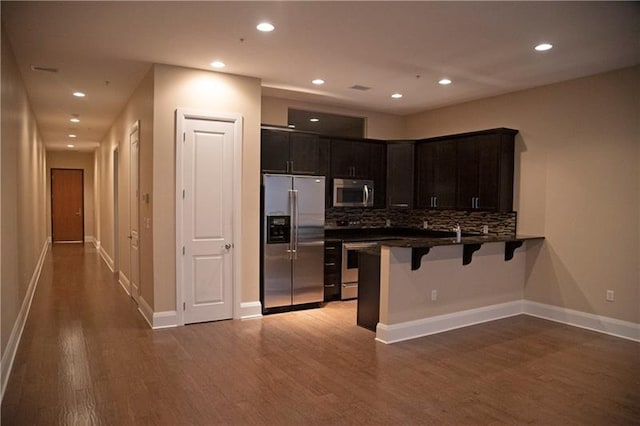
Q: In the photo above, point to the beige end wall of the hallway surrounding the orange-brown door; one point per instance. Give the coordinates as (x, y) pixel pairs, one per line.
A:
(74, 160)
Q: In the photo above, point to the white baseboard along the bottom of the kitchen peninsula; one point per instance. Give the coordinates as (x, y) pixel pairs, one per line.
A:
(424, 327)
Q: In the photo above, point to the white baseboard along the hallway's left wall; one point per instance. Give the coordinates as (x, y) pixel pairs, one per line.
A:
(9, 354)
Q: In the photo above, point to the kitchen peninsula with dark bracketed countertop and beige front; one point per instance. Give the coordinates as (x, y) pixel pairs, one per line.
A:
(412, 287)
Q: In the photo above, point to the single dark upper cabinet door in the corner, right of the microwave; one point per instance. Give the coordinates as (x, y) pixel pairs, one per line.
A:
(400, 175)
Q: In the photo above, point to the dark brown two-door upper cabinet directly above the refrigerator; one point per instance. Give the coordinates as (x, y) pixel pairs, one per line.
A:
(291, 152)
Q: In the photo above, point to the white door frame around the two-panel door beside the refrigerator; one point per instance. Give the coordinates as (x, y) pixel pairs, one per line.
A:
(183, 114)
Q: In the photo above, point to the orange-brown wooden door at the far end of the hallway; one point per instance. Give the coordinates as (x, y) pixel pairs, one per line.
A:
(67, 206)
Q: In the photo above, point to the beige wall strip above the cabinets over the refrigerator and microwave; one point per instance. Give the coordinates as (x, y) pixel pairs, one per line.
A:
(378, 125)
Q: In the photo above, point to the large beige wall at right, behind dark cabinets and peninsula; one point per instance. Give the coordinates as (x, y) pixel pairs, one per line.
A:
(577, 183)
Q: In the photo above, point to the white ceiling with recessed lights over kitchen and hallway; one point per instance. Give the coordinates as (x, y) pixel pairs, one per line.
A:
(486, 48)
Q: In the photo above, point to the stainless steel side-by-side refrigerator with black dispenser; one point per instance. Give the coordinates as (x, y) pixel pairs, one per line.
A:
(292, 240)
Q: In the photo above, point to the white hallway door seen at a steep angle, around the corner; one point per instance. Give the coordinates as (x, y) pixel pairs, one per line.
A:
(134, 220)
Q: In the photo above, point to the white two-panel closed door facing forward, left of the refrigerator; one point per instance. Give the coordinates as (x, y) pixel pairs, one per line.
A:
(207, 220)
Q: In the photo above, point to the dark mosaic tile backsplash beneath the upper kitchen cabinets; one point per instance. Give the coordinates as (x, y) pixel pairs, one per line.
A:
(503, 224)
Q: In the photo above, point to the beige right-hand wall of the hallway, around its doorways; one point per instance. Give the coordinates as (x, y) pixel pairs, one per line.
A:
(139, 107)
